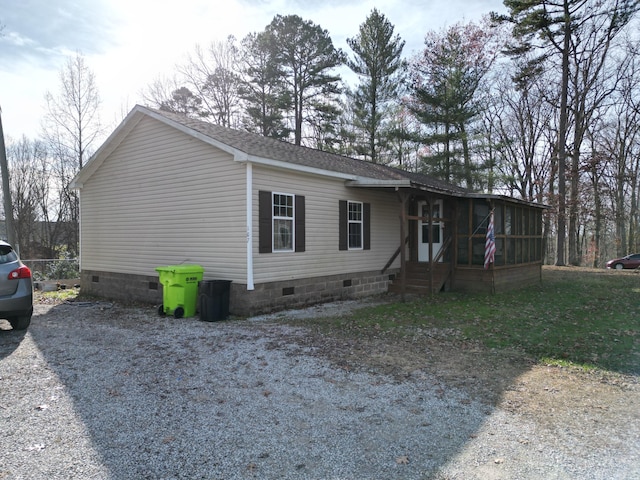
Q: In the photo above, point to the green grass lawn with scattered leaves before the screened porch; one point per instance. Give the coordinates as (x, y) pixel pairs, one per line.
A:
(578, 316)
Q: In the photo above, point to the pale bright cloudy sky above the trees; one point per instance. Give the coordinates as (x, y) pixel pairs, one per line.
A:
(129, 43)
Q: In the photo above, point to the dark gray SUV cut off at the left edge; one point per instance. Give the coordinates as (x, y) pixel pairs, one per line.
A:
(16, 289)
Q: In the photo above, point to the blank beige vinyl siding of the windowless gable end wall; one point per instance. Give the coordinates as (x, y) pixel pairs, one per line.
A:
(164, 198)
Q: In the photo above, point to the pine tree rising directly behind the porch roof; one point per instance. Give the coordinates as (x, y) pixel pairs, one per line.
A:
(445, 98)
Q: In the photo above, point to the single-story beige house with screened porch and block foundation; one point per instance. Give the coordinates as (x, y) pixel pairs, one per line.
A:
(288, 225)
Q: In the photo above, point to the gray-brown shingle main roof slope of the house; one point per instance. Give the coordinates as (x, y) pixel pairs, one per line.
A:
(269, 148)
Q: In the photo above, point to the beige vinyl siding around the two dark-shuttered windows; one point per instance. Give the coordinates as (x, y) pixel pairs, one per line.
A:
(322, 256)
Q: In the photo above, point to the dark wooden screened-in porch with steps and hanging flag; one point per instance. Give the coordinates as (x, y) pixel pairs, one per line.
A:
(445, 238)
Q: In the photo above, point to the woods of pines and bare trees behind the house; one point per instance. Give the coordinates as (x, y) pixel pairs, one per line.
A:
(542, 104)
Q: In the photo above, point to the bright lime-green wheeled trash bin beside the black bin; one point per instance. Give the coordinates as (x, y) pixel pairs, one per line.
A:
(179, 289)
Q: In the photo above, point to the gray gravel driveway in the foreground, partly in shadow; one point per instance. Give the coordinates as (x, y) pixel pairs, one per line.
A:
(100, 391)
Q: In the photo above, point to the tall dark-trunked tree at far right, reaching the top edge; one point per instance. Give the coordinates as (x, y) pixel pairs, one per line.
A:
(570, 31)
